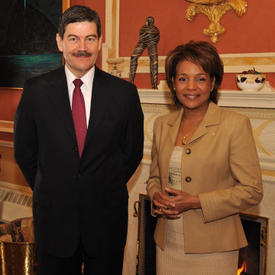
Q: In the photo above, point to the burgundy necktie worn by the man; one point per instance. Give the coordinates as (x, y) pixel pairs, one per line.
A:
(79, 115)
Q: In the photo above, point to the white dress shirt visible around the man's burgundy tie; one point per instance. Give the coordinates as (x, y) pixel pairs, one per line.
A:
(86, 88)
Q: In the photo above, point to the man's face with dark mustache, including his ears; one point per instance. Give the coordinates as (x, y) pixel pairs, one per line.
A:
(80, 46)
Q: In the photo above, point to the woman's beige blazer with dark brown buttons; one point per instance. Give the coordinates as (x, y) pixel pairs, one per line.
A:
(220, 164)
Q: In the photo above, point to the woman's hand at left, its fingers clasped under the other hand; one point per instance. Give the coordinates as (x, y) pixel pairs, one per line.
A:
(164, 206)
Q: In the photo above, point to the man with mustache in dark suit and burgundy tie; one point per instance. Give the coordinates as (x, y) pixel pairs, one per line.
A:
(79, 174)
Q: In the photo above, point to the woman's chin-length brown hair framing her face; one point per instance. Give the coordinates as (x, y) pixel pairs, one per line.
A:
(201, 53)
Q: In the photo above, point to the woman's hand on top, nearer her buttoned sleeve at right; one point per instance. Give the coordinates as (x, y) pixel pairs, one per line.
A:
(182, 201)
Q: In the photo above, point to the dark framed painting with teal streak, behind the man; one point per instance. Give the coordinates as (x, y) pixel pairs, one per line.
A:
(28, 48)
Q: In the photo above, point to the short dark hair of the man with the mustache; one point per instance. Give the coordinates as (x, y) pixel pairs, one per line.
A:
(78, 14)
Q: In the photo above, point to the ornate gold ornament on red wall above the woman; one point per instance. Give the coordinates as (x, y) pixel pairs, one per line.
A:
(214, 10)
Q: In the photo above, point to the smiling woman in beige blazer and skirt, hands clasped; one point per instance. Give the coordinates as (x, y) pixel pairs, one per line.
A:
(204, 170)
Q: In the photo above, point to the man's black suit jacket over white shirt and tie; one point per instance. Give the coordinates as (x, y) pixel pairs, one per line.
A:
(77, 197)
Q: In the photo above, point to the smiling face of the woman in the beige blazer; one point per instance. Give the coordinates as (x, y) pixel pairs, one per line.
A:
(193, 86)
